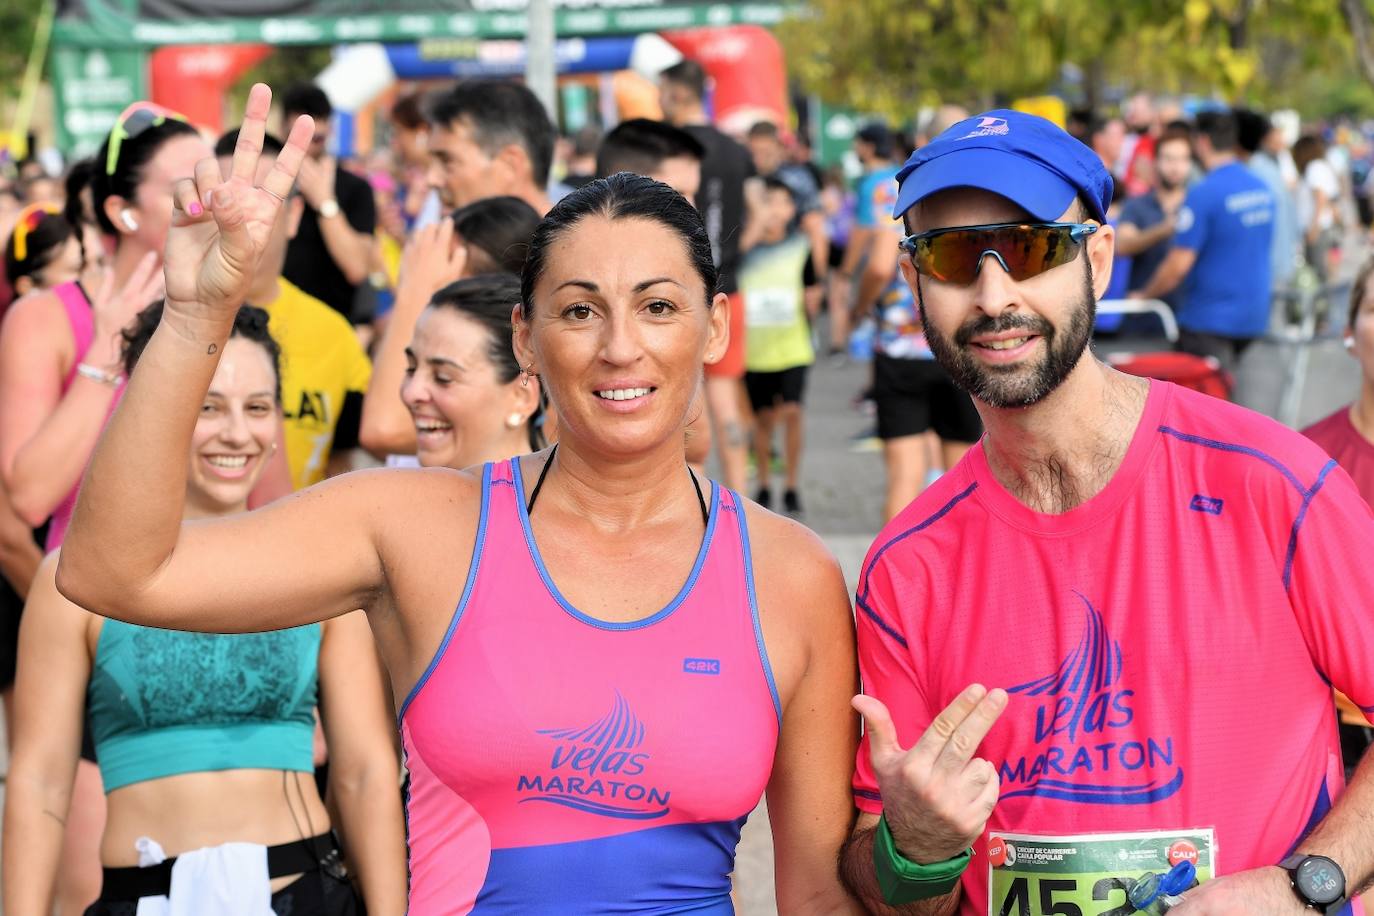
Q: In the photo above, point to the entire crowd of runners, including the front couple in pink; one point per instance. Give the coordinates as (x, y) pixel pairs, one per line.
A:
(1114, 627)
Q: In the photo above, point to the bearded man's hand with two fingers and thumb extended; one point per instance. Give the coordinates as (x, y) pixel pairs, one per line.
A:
(936, 796)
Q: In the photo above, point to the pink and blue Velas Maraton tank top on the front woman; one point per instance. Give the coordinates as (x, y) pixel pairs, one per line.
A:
(564, 764)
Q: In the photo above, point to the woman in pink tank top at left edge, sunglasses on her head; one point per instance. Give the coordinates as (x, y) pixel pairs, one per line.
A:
(60, 373)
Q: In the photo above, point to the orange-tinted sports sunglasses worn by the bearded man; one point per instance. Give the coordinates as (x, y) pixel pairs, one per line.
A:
(1023, 249)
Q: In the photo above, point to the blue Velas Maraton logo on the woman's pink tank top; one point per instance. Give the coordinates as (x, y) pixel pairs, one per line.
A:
(598, 770)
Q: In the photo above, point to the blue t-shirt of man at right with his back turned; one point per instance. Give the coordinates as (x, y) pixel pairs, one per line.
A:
(1228, 220)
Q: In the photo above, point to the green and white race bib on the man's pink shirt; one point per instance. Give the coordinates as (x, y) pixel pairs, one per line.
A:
(1088, 875)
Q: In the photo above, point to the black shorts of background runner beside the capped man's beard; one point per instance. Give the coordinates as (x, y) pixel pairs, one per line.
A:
(914, 396)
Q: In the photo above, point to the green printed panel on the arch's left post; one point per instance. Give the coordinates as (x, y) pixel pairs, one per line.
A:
(93, 87)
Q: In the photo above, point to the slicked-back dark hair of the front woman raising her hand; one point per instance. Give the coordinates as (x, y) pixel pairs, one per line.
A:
(622, 197)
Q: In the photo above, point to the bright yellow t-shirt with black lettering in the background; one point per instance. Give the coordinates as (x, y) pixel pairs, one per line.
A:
(322, 366)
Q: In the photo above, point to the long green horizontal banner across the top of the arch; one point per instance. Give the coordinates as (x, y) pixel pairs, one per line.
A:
(116, 30)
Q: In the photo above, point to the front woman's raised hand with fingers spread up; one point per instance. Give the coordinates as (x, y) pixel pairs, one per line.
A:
(221, 226)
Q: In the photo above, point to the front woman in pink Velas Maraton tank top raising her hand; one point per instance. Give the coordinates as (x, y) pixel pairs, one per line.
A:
(605, 661)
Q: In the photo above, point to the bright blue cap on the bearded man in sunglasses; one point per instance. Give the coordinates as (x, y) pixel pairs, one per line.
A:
(1022, 157)
